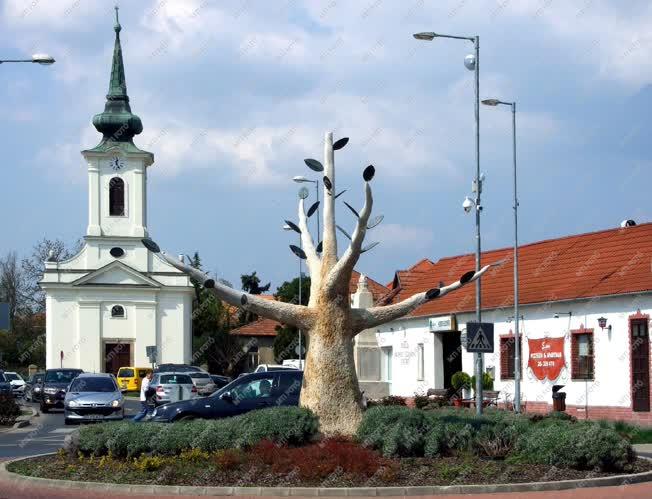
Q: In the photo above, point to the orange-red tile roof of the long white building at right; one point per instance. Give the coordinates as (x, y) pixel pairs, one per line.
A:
(608, 262)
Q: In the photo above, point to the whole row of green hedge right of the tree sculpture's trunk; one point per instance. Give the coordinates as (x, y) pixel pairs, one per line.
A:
(555, 439)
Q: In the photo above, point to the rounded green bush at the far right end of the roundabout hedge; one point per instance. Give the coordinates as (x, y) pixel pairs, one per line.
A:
(584, 445)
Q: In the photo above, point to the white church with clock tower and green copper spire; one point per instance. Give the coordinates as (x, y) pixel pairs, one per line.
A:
(112, 300)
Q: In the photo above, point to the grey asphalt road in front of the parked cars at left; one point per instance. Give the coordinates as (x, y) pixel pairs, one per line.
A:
(45, 434)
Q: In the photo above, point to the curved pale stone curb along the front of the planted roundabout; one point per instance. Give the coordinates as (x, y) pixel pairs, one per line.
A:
(173, 490)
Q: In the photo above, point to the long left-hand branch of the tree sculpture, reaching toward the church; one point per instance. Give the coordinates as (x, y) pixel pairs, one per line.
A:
(285, 313)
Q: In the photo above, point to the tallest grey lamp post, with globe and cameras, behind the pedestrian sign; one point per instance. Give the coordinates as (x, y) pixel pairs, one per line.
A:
(472, 62)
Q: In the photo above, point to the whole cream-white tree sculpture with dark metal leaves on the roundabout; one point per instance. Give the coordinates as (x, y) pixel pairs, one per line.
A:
(330, 385)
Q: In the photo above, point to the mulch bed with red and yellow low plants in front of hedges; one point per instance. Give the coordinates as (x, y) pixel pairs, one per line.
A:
(235, 468)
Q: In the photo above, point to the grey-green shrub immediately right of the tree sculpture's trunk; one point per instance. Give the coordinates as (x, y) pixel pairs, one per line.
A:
(395, 431)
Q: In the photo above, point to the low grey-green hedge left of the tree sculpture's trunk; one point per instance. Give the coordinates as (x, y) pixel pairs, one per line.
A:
(283, 425)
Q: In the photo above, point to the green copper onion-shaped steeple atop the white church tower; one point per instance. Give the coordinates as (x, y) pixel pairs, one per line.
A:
(117, 123)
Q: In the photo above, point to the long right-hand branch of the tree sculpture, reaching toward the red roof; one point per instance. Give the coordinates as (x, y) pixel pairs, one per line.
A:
(375, 316)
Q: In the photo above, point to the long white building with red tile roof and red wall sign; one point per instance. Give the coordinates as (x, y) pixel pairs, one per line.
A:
(585, 306)
